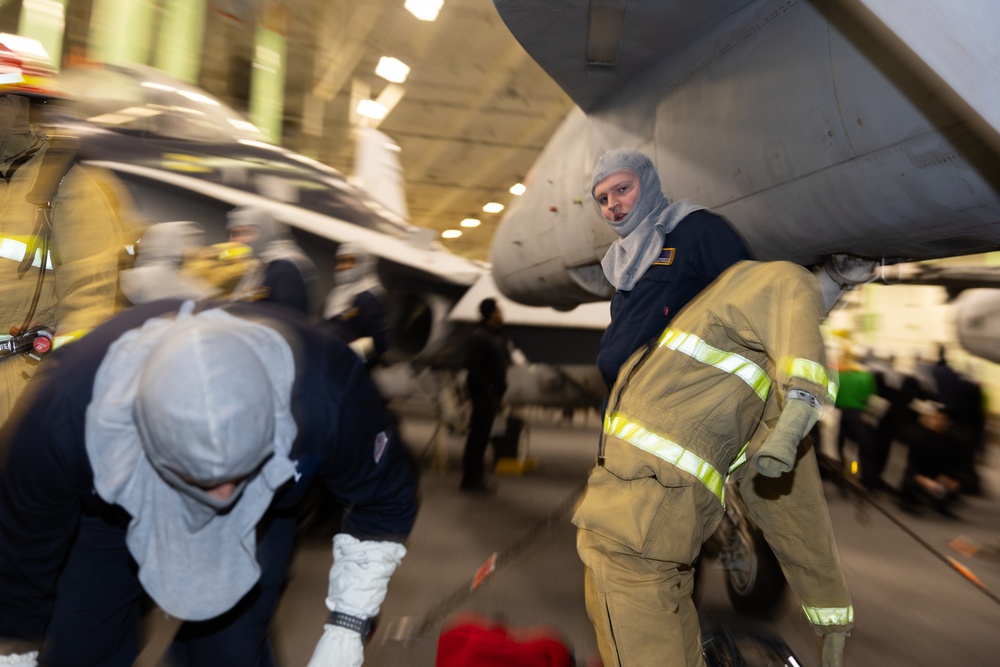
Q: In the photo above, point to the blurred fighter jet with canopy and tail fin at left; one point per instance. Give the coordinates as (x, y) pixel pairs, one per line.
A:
(183, 154)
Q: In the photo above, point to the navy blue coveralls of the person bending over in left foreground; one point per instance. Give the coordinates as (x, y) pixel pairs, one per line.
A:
(66, 575)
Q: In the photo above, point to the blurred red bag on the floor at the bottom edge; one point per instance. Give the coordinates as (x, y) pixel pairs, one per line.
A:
(479, 642)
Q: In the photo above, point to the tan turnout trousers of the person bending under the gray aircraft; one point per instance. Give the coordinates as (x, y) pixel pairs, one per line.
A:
(639, 574)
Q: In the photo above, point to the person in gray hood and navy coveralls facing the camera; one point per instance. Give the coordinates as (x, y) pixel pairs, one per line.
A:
(667, 253)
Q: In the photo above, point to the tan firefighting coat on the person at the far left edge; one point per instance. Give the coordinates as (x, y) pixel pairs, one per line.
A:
(79, 289)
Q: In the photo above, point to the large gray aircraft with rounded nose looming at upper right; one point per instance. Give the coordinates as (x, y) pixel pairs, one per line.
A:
(821, 129)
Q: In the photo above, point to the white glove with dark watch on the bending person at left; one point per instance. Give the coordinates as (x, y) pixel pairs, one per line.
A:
(359, 580)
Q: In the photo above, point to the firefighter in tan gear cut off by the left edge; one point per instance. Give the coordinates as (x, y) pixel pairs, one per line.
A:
(71, 232)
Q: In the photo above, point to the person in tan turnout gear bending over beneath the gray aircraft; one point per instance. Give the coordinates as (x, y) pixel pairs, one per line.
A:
(729, 389)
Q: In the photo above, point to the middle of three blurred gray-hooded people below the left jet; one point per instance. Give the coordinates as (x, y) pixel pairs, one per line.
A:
(284, 274)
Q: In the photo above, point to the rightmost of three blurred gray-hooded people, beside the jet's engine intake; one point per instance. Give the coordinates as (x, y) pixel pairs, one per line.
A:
(355, 307)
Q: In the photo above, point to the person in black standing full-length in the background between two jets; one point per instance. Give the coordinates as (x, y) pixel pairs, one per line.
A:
(487, 360)
